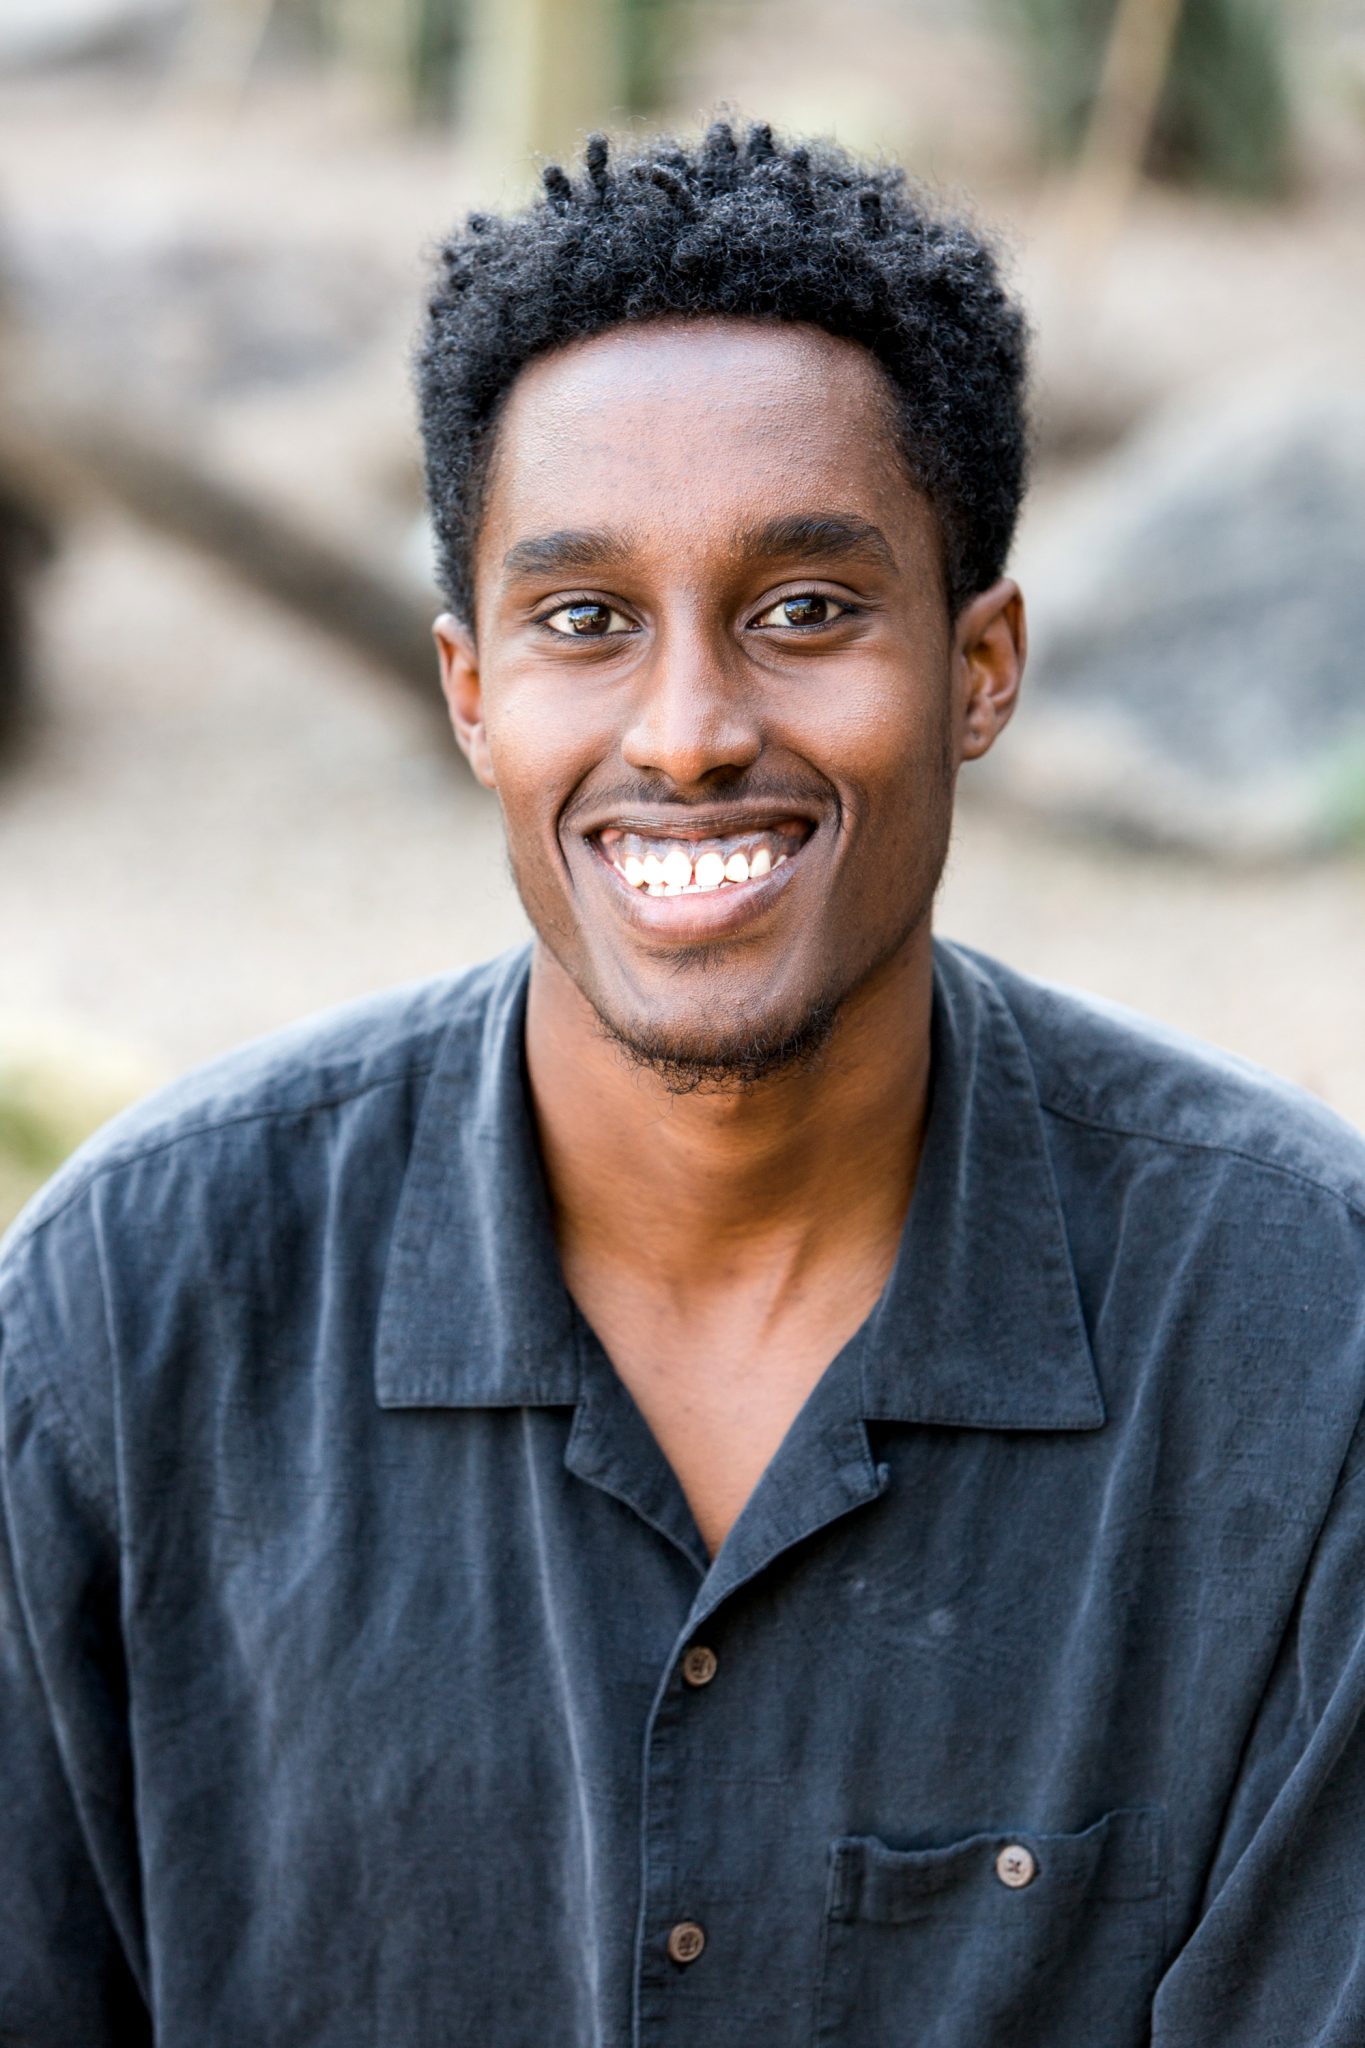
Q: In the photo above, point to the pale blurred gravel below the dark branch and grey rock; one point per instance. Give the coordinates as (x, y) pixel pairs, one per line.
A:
(226, 822)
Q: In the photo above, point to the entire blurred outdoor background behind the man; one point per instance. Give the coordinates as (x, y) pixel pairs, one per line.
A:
(226, 792)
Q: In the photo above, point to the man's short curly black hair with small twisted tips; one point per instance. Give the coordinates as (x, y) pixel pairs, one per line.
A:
(756, 230)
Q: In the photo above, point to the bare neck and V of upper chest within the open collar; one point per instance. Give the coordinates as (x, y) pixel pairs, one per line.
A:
(725, 1248)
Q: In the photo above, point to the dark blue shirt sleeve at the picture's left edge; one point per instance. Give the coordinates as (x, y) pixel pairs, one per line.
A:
(73, 1965)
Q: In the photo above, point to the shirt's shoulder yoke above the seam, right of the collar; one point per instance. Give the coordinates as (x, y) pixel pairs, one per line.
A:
(1151, 1091)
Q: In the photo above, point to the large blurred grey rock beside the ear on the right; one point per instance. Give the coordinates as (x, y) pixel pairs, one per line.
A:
(1198, 624)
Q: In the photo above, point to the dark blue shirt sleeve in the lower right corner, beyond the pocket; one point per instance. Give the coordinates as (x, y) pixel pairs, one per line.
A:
(1278, 1957)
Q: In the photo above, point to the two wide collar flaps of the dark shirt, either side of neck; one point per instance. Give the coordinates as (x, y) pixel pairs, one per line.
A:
(979, 1326)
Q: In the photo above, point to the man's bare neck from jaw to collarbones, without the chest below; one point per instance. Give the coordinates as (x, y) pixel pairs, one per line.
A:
(807, 1166)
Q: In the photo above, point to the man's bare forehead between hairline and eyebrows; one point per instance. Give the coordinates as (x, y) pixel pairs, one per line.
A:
(701, 425)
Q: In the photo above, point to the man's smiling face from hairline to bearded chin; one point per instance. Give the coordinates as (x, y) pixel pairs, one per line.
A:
(715, 683)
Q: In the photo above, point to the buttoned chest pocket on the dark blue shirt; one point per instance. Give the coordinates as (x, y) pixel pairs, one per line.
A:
(996, 1943)
